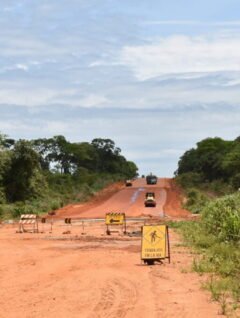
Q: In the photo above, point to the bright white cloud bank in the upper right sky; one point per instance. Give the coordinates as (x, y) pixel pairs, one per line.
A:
(182, 54)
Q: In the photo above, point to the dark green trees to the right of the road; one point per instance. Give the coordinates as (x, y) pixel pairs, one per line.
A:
(213, 159)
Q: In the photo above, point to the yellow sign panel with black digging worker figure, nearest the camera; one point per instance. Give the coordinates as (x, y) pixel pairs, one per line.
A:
(155, 244)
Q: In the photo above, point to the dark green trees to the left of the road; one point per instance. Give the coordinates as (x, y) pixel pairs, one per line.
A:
(28, 167)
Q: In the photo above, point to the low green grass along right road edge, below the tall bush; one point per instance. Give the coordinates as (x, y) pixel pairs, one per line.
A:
(219, 259)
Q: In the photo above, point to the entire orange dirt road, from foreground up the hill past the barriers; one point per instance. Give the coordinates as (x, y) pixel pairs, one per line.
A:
(53, 275)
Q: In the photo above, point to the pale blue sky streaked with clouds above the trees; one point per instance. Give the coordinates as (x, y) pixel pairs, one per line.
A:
(155, 76)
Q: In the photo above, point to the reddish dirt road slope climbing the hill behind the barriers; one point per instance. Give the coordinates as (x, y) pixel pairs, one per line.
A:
(118, 198)
